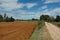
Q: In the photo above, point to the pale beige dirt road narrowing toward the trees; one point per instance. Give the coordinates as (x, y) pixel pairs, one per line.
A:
(53, 30)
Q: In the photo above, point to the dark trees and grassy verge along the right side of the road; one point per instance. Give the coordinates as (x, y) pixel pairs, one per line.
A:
(50, 19)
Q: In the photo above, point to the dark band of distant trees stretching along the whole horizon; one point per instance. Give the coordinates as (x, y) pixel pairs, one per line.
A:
(47, 18)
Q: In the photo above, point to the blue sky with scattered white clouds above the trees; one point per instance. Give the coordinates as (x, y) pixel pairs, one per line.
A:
(27, 9)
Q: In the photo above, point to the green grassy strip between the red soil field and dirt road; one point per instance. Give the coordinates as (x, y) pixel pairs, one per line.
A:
(35, 35)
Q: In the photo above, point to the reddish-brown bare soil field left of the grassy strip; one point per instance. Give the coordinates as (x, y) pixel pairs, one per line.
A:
(17, 30)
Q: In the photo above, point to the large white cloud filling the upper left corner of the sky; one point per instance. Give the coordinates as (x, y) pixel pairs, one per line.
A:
(10, 4)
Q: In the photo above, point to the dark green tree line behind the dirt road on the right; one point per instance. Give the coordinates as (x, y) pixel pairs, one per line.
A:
(49, 18)
